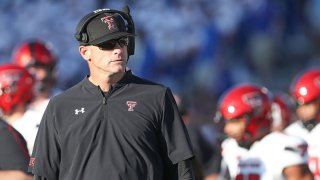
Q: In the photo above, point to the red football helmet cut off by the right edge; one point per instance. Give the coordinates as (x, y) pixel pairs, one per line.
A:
(306, 86)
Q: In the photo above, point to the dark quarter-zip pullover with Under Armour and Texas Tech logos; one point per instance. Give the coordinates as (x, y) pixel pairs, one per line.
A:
(132, 132)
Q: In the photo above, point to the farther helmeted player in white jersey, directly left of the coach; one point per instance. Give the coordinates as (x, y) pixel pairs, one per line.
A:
(38, 58)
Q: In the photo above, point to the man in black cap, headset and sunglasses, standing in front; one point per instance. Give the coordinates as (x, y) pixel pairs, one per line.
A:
(113, 124)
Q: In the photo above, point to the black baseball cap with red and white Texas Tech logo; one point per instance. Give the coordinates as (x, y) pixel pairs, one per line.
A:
(105, 27)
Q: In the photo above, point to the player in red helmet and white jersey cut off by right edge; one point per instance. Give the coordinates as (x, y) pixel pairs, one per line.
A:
(305, 89)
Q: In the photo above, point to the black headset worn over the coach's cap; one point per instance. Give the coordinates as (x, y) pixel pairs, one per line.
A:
(82, 36)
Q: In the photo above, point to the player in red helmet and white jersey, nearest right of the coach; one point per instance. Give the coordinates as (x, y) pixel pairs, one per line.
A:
(250, 152)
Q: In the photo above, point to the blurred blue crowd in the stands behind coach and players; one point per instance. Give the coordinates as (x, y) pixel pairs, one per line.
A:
(199, 48)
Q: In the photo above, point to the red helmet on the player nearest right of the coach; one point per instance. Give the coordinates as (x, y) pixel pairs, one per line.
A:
(251, 102)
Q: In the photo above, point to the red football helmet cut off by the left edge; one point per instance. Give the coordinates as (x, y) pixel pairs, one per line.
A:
(16, 87)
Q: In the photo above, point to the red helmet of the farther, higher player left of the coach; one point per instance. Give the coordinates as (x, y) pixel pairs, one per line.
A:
(34, 53)
